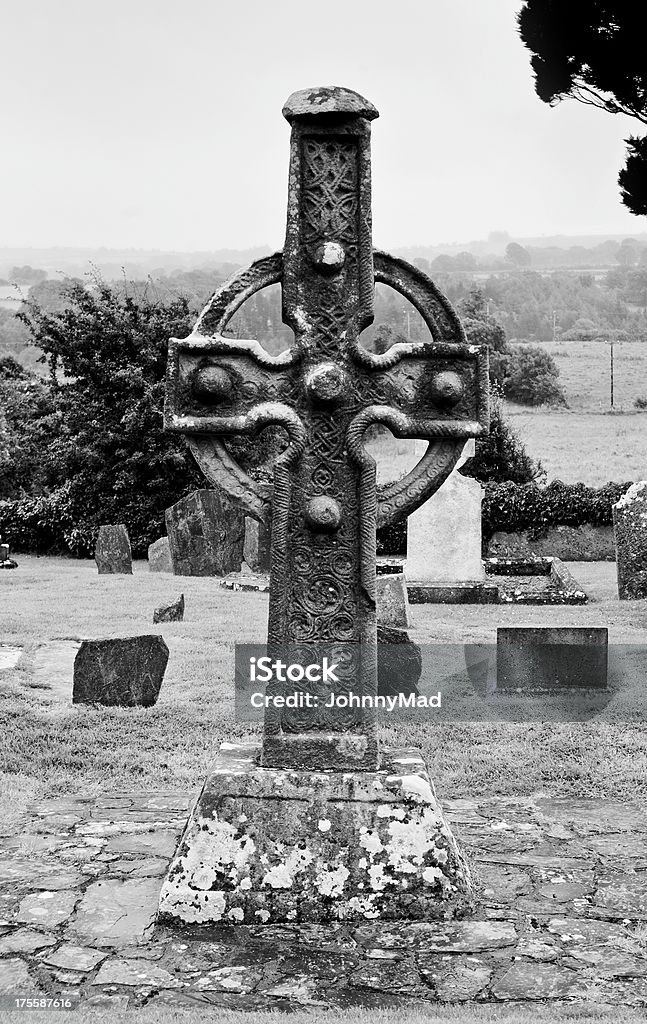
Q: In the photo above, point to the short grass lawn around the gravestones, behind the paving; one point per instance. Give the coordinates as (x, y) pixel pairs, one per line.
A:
(50, 749)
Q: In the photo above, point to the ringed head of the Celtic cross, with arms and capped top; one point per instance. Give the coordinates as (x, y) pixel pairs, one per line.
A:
(328, 390)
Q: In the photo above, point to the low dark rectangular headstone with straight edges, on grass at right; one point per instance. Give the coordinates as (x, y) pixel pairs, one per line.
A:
(550, 659)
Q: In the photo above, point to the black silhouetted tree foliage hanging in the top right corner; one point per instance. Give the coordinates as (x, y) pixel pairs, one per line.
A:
(594, 52)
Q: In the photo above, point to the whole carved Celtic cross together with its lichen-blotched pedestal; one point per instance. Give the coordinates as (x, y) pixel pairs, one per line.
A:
(319, 824)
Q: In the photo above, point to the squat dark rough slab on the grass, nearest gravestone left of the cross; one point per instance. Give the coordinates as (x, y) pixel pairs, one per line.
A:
(125, 672)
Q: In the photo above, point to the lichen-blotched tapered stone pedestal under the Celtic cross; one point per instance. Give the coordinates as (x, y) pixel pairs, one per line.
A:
(267, 845)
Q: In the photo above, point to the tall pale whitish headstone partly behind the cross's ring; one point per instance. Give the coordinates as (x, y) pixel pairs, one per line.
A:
(444, 539)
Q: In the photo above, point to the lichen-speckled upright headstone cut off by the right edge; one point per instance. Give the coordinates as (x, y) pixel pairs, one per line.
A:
(630, 530)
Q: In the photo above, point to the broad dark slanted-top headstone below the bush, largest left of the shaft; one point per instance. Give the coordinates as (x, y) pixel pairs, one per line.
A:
(206, 535)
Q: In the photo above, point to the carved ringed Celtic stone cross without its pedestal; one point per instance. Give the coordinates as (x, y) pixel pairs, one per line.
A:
(326, 393)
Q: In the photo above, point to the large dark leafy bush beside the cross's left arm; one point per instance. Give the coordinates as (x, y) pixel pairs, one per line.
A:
(107, 355)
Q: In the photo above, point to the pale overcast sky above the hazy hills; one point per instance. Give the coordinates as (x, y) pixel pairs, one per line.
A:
(158, 124)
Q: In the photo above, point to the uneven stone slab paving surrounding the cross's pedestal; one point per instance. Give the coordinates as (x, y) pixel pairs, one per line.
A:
(563, 916)
